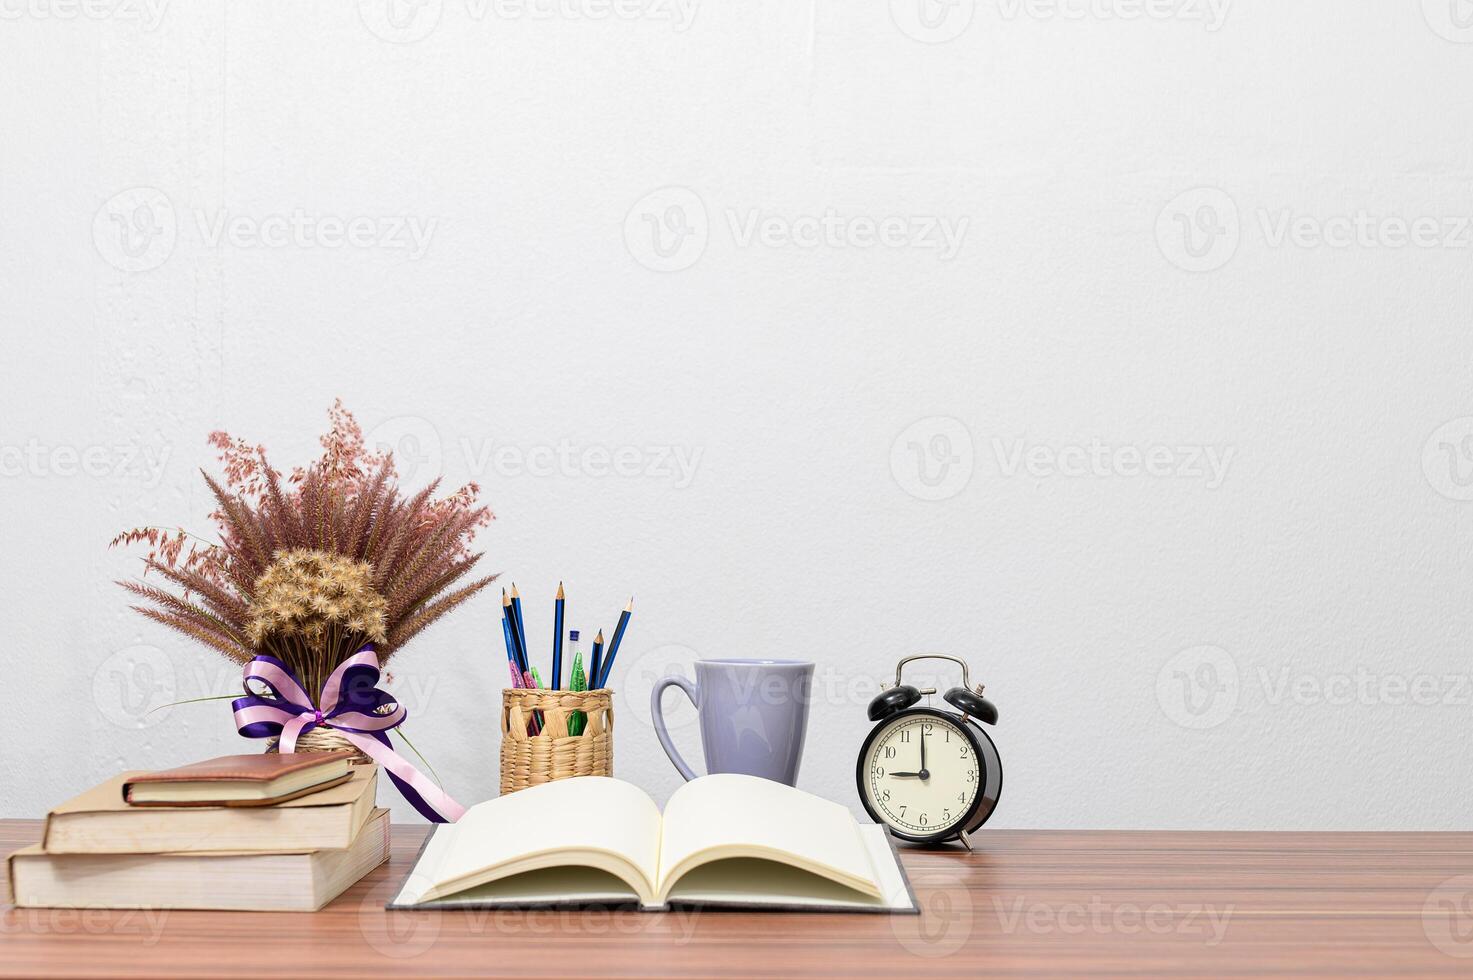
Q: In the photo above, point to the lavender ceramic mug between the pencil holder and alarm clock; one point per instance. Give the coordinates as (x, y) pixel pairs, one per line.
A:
(753, 715)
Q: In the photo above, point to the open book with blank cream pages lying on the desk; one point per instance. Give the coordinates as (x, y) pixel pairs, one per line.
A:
(724, 841)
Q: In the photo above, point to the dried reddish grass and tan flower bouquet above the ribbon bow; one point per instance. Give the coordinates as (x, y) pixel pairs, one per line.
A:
(312, 570)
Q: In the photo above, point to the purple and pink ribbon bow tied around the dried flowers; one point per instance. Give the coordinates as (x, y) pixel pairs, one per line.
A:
(350, 705)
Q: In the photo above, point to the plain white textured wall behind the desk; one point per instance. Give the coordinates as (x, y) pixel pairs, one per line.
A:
(1120, 347)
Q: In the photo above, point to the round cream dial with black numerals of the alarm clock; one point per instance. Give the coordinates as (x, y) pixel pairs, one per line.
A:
(921, 776)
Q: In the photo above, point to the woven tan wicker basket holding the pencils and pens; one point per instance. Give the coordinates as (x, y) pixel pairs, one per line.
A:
(553, 754)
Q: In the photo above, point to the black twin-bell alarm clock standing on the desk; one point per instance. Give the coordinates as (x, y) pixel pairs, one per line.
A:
(930, 776)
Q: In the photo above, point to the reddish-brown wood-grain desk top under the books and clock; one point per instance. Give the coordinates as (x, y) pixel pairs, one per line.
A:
(1027, 904)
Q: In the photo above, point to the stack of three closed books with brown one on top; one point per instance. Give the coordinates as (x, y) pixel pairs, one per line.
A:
(241, 833)
